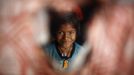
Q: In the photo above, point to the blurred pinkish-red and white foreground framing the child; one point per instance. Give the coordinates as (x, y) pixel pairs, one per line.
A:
(24, 25)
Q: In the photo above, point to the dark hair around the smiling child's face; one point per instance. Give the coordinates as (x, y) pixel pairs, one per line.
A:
(58, 20)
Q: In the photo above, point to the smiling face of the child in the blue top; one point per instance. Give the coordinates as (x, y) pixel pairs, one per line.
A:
(66, 35)
